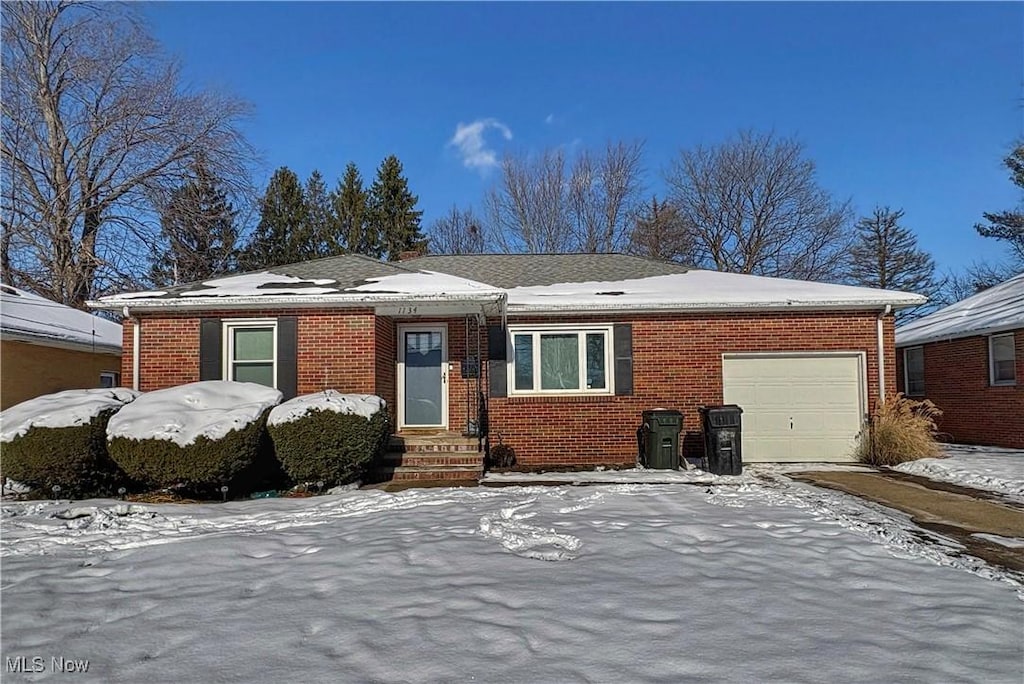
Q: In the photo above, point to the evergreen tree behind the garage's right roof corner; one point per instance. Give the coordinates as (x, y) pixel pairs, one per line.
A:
(886, 255)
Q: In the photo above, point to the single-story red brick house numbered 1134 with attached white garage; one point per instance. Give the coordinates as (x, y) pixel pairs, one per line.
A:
(564, 352)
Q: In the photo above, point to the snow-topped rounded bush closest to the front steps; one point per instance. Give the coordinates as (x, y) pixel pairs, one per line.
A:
(329, 437)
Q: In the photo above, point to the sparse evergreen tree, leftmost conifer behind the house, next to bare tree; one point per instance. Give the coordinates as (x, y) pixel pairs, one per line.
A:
(198, 234)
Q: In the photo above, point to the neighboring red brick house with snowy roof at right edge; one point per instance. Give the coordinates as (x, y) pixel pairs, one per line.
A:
(969, 360)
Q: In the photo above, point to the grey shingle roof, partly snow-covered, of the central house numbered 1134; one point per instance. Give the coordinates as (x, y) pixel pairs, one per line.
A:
(620, 283)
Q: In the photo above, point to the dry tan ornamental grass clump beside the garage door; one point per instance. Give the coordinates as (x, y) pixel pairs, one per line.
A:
(901, 431)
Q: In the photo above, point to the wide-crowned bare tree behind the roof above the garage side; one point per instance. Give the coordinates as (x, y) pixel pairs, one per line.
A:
(753, 206)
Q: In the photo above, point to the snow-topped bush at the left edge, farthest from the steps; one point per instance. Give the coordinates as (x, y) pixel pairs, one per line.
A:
(60, 440)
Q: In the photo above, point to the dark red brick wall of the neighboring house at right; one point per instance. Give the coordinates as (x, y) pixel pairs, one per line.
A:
(974, 412)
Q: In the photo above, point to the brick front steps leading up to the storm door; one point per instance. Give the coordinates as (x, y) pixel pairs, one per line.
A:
(433, 457)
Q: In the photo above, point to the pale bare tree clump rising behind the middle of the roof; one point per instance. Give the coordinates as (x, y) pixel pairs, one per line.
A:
(548, 203)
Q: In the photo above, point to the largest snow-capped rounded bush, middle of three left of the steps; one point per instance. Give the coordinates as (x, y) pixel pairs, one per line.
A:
(199, 437)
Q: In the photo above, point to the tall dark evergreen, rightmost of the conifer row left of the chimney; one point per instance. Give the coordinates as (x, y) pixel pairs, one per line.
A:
(393, 215)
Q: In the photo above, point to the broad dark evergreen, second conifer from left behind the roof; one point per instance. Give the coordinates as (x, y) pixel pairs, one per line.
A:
(280, 237)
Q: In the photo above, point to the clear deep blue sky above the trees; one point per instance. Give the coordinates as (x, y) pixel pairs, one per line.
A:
(912, 106)
